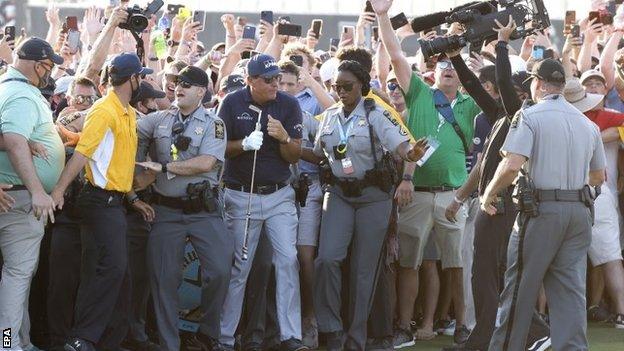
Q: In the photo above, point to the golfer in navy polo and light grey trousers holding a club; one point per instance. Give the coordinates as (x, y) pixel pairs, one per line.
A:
(278, 144)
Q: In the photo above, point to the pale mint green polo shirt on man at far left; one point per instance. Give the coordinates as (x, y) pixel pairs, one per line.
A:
(24, 111)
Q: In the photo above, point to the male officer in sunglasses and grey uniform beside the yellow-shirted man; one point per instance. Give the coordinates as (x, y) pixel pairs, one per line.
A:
(188, 143)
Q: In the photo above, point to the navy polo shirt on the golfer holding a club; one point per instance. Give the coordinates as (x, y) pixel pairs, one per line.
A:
(240, 121)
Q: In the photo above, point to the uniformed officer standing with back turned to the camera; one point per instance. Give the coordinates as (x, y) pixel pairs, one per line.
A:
(552, 233)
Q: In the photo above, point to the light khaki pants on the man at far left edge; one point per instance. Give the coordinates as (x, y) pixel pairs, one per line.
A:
(20, 238)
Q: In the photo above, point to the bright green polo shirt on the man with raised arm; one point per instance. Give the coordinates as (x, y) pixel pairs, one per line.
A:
(447, 165)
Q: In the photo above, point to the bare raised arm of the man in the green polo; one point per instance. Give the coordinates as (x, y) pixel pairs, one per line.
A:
(391, 42)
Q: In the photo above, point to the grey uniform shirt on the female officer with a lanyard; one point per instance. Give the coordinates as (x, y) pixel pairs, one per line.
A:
(388, 134)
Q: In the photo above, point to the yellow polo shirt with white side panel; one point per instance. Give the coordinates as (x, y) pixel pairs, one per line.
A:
(109, 140)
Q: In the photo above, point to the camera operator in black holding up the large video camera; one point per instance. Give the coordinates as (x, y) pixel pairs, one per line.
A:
(492, 232)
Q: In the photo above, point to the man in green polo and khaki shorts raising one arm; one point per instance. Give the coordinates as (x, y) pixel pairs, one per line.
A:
(432, 186)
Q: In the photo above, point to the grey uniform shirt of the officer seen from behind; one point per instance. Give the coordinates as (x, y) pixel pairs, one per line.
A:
(561, 144)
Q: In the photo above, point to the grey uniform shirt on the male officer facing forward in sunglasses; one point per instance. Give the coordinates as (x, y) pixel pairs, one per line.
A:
(208, 137)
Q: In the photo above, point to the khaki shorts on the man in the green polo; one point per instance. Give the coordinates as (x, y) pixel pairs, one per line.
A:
(416, 220)
